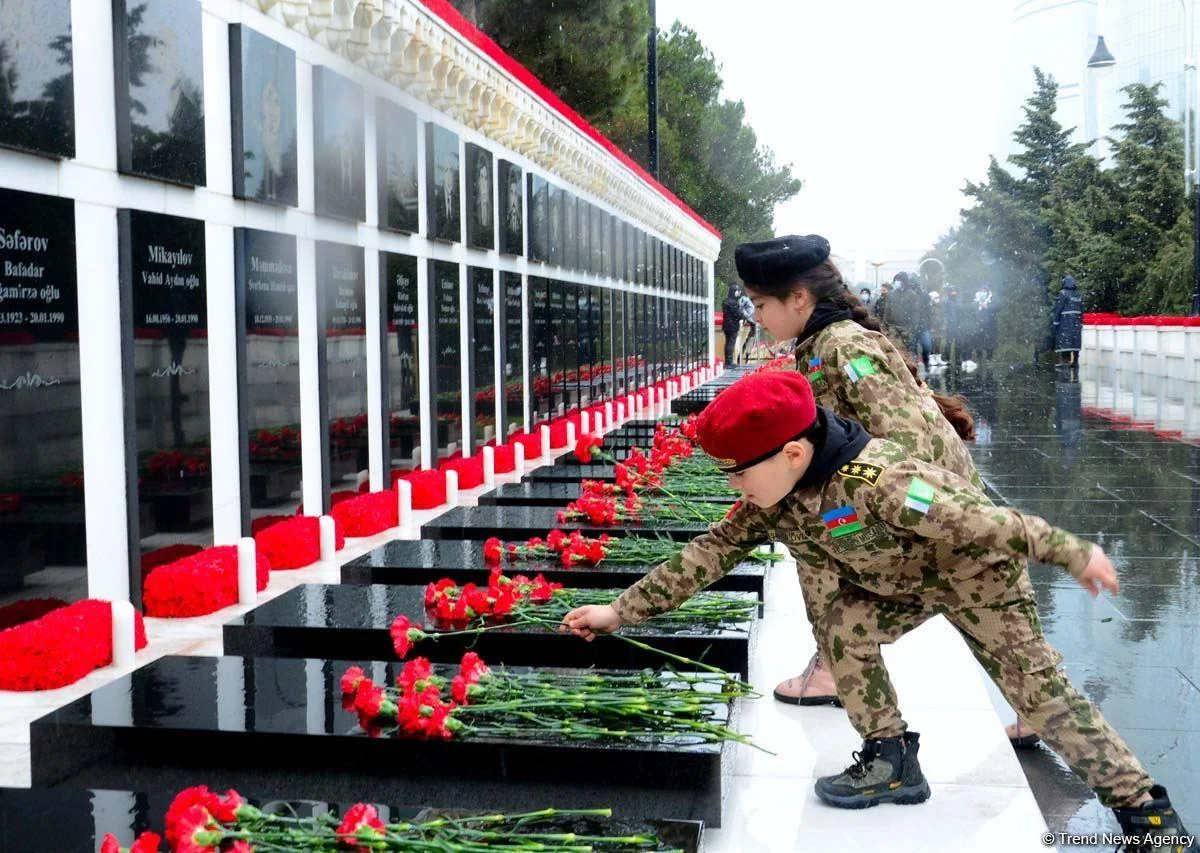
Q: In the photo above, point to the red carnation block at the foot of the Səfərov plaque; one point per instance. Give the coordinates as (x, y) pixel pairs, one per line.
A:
(62, 647)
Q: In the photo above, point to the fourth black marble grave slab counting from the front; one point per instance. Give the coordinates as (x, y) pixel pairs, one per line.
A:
(463, 561)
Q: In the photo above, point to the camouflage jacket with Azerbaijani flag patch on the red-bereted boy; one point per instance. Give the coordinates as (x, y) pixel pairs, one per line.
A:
(893, 525)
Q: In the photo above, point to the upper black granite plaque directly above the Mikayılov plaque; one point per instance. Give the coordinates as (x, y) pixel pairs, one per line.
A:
(160, 89)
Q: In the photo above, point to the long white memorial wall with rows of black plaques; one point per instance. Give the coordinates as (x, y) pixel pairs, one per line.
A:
(248, 263)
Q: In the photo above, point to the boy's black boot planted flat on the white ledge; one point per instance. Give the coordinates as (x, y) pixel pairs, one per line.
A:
(886, 771)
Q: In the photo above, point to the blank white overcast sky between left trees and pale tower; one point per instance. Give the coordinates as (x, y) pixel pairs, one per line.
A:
(883, 107)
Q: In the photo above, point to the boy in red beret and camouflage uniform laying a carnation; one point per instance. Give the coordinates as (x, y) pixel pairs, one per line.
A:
(910, 540)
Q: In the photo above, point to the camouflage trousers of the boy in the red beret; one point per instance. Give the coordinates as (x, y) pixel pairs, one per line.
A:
(1006, 639)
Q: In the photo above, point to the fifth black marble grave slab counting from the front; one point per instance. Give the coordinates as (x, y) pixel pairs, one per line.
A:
(519, 524)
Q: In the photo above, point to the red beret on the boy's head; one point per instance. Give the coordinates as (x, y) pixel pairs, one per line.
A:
(755, 417)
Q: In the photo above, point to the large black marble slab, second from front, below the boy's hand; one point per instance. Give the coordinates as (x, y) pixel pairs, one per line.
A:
(277, 728)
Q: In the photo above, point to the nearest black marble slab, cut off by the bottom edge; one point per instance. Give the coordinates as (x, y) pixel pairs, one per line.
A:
(82, 818)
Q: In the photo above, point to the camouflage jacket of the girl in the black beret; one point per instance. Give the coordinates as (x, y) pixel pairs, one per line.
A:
(862, 376)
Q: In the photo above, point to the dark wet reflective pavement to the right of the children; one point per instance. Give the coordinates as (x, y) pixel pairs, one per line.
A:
(1135, 490)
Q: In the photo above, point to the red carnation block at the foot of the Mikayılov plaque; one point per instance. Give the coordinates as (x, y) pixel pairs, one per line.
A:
(199, 585)
